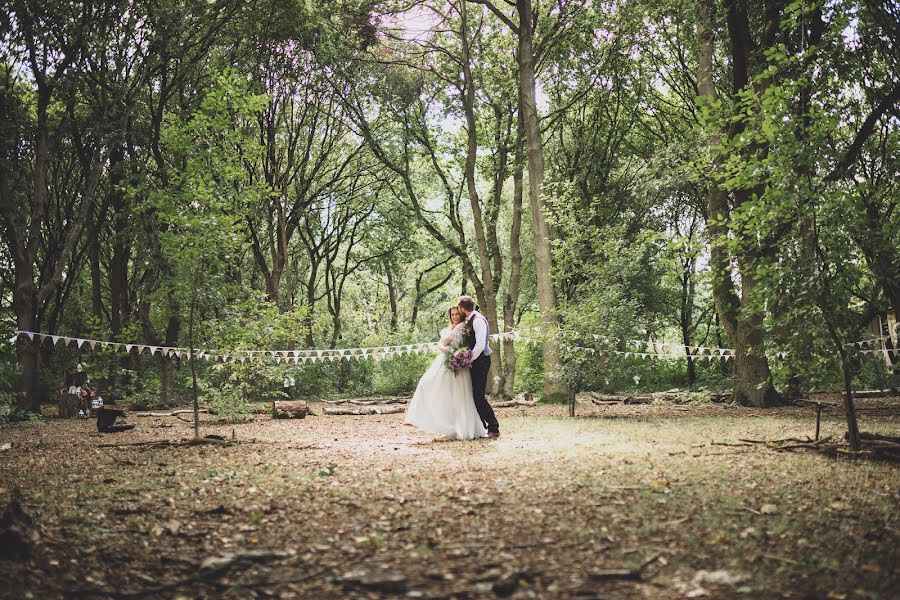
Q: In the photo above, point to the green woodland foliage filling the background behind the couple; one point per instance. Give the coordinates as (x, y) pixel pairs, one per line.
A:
(227, 140)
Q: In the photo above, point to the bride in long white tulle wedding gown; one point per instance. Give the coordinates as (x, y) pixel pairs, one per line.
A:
(443, 402)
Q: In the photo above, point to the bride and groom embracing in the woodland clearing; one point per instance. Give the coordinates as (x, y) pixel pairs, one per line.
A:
(448, 401)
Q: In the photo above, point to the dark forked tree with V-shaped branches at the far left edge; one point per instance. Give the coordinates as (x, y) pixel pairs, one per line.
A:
(49, 41)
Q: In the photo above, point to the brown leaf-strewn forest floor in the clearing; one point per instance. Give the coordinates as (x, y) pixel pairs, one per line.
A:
(362, 506)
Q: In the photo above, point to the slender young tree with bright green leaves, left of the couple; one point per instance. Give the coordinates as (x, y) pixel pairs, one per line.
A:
(199, 208)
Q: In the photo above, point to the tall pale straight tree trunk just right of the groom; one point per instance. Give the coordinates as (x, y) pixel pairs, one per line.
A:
(553, 381)
